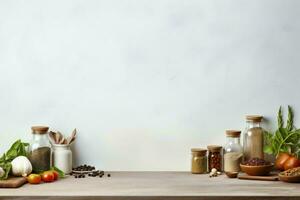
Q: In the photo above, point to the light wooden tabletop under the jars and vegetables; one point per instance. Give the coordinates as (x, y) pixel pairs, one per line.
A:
(155, 185)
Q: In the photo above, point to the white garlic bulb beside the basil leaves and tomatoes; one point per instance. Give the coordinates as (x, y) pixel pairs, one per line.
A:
(21, 166)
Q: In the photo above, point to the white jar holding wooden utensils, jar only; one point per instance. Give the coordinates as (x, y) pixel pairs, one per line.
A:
(62, 157)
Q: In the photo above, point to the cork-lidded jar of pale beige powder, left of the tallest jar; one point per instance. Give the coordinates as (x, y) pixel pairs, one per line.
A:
(233, 151)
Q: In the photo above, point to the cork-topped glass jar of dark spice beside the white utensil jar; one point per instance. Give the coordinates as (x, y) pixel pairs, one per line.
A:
(39, 149)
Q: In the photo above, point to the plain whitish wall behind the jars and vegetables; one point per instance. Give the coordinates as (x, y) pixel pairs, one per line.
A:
(144, 81)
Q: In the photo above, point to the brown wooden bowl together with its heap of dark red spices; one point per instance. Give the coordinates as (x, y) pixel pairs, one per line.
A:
(257, 167)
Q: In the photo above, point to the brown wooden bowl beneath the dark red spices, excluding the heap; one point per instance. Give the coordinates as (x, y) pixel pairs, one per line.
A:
(262, 170)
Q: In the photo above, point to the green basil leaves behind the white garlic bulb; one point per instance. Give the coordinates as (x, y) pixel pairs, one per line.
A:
(18, 148)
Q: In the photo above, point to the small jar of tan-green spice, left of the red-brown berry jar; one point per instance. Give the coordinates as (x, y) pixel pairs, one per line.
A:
(199, 161)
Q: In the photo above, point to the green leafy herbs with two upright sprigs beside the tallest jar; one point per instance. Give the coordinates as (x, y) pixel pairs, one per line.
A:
(285, 139)
